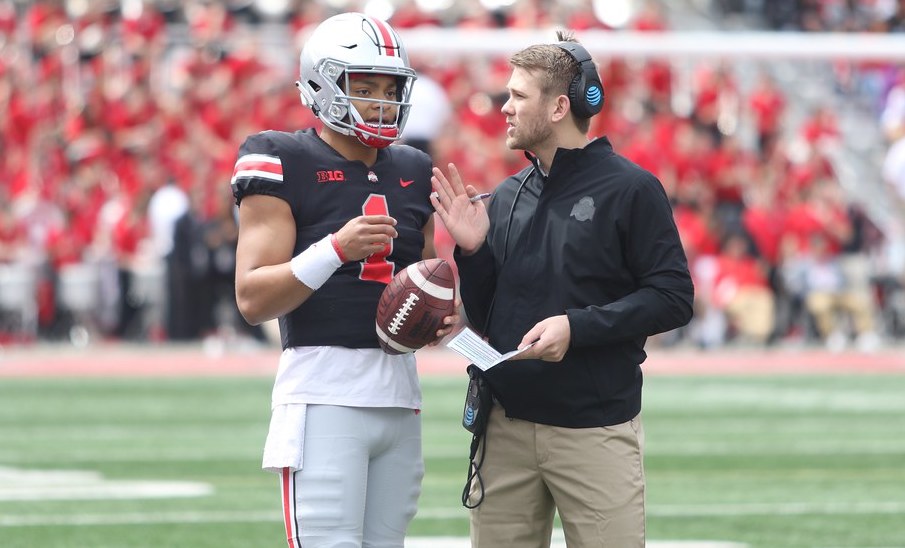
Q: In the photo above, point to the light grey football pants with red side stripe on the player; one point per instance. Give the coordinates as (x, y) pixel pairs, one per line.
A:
(360, 481)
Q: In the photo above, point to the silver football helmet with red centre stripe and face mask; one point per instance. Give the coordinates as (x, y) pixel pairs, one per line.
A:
(347, 44)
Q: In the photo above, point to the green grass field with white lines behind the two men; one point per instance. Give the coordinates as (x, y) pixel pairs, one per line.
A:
(767, 461)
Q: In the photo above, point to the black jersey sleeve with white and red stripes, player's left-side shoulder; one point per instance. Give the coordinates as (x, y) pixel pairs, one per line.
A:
(258, 170)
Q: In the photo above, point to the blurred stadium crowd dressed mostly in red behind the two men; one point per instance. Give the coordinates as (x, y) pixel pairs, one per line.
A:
(122, 121)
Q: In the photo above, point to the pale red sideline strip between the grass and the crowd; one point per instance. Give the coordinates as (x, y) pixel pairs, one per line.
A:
(203, 359)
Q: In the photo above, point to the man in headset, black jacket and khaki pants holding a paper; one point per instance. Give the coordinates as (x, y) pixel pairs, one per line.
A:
(578, 252)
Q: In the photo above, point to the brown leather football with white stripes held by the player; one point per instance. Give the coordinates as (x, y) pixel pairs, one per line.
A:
(413, 305)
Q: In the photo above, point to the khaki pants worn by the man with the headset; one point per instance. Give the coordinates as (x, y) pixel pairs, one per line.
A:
(593, 476)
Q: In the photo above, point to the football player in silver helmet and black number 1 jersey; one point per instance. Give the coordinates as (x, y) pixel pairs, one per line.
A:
(325, 221)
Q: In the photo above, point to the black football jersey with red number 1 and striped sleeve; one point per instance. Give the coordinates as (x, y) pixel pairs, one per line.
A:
(324, 191)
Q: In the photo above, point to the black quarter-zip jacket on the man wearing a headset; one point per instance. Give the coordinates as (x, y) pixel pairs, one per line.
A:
(595, 239)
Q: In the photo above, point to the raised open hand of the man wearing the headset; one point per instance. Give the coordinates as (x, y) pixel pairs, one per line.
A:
(466, 221)
